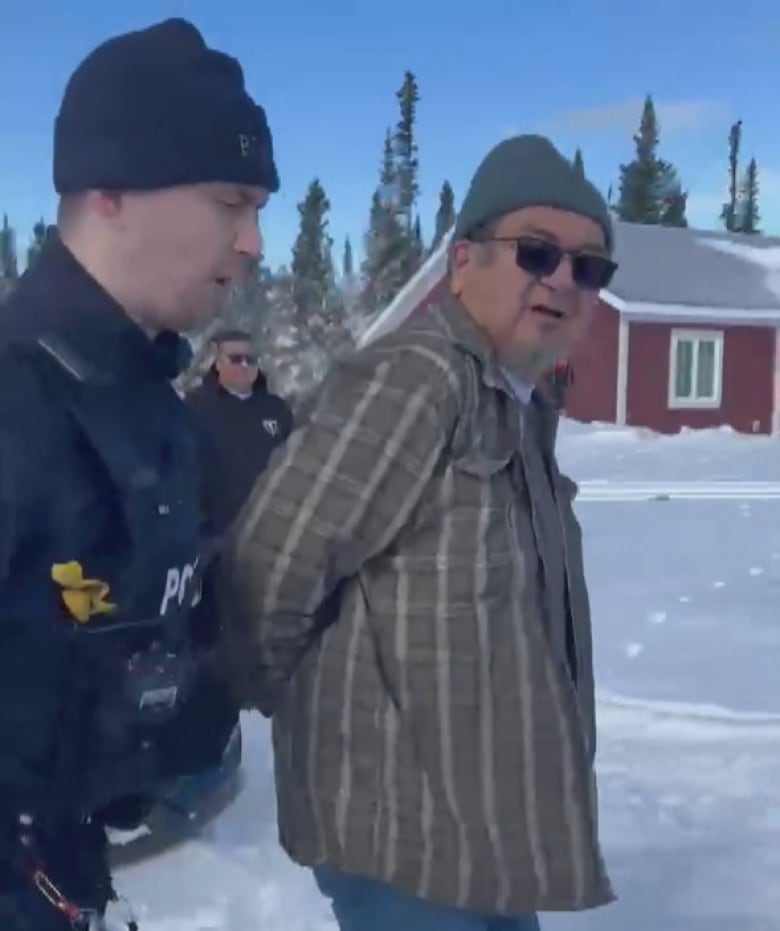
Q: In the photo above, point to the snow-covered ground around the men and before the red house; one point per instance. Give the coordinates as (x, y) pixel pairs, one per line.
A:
(686, 606)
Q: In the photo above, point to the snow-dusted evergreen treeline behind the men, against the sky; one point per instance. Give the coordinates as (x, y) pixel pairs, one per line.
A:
(305, 314)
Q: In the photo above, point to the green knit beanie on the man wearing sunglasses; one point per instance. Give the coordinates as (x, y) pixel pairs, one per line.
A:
(528, 171)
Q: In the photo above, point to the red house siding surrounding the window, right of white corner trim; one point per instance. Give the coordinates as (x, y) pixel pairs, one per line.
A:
(747, 388)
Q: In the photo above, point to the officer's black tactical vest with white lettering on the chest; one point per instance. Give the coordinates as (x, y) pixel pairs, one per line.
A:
(121, 501)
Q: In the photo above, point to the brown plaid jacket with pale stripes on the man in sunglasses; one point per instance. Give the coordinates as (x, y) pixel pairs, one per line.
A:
(431, 737)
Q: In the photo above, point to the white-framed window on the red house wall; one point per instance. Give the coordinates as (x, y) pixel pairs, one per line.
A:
(696, 369)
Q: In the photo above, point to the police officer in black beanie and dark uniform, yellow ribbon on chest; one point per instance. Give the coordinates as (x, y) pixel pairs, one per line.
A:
(161, 161)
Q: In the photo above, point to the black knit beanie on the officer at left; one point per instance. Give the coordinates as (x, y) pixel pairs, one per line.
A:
(157, 108)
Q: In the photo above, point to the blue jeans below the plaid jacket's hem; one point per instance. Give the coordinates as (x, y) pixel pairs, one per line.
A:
(361, 904)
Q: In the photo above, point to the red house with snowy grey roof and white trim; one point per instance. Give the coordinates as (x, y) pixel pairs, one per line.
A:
(688, 334)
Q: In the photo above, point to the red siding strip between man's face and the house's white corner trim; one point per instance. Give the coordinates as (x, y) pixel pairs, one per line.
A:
(593, 396)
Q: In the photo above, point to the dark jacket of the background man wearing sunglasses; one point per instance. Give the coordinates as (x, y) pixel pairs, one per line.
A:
(237, 438)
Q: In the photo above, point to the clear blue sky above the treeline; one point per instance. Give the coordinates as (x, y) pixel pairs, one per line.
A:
(327, 74)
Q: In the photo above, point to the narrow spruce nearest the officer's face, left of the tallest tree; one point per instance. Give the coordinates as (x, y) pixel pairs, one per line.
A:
(312, 264)
